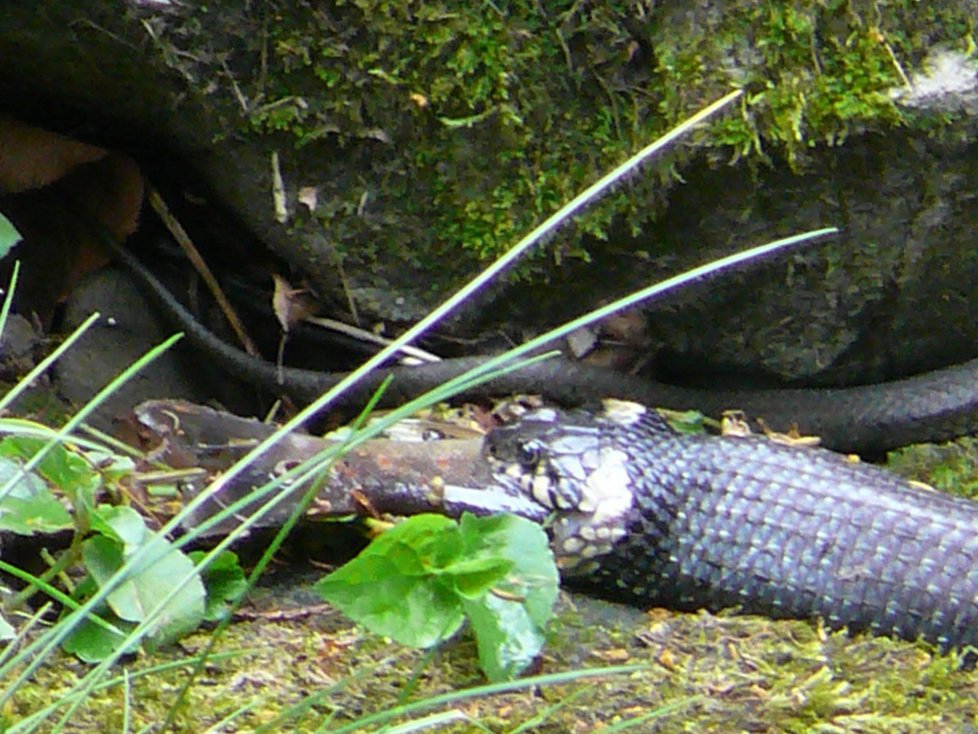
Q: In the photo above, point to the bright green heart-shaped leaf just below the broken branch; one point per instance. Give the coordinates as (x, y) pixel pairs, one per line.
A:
(394, 587)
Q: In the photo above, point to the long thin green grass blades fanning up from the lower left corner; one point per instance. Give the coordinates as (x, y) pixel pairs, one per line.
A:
(20, 663)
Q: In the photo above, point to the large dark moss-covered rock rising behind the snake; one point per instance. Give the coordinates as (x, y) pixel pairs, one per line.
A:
(435, 134)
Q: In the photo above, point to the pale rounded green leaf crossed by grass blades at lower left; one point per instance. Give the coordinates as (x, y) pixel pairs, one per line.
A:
(153, 579)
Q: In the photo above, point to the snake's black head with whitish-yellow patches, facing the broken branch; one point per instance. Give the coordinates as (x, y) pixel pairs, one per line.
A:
(576, 465)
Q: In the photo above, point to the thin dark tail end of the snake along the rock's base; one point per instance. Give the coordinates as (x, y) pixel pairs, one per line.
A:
(869, 419)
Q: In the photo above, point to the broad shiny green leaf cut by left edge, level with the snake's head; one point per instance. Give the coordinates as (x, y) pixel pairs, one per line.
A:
(29, 506)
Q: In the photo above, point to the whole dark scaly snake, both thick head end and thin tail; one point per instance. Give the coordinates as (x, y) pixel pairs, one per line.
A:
(642, 513)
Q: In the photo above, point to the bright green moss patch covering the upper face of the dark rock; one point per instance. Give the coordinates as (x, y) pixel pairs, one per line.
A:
(455, 128)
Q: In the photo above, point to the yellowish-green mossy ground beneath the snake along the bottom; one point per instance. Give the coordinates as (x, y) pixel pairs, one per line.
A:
(720, 672)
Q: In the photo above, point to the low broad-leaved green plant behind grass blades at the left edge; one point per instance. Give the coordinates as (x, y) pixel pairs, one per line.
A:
(36, 503)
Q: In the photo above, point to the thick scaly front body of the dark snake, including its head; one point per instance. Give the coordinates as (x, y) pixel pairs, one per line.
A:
(719, 522)
